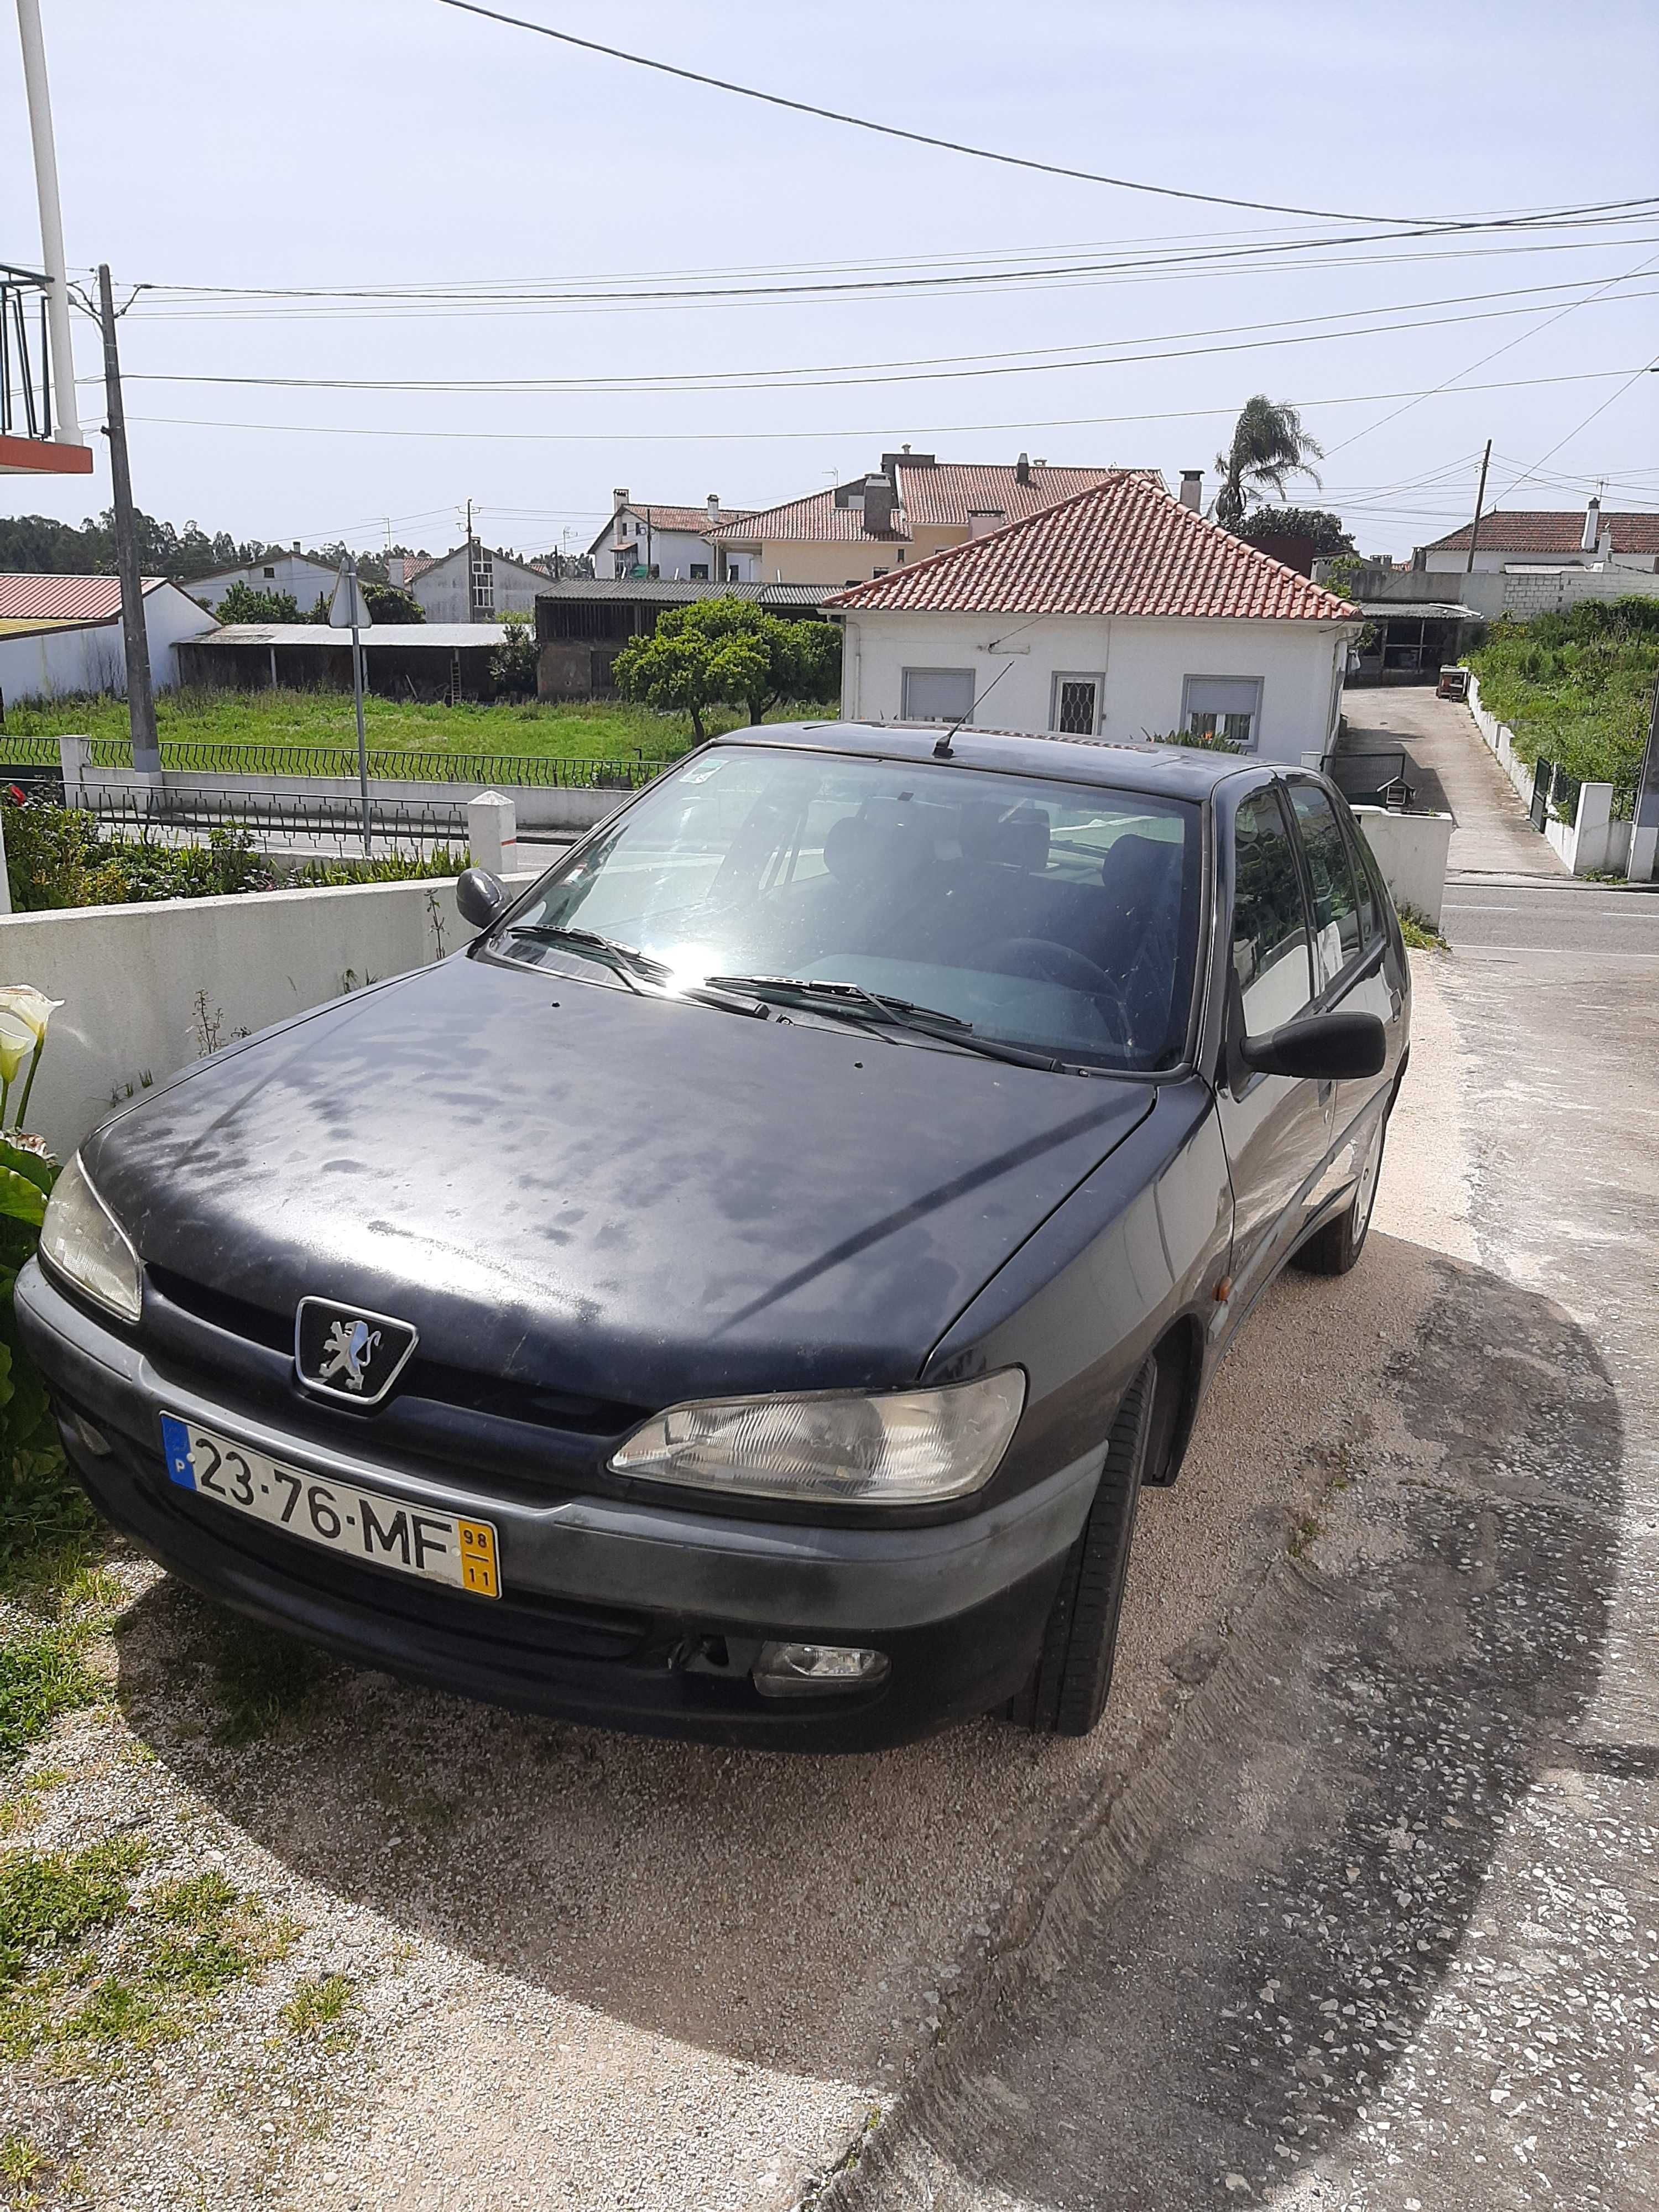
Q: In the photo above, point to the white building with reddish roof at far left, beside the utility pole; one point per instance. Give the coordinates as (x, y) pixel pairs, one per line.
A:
(63, 634)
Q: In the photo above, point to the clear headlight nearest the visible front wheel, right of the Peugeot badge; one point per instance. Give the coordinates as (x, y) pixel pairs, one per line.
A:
(886, 1450)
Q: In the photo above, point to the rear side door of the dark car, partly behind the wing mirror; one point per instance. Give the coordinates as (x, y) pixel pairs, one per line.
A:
(1350, 970)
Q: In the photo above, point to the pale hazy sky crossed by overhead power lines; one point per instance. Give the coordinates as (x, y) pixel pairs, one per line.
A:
(222, 154)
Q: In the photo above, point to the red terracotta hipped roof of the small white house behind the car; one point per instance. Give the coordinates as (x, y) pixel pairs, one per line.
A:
(1123, 547)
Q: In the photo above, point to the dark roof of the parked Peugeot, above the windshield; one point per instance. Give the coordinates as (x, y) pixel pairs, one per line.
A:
(1176, 771)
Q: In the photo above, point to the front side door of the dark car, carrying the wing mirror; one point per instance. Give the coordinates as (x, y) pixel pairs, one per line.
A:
(1275, 1127)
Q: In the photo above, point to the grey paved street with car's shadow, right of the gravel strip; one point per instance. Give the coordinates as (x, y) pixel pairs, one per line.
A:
(1379, 1928)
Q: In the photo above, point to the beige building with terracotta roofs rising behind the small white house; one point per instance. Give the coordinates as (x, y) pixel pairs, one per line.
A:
(904, 512)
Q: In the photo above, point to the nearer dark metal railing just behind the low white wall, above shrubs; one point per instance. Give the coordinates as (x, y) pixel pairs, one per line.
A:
(331, 828)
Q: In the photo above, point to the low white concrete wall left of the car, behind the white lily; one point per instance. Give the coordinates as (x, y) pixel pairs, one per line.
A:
(147, 990)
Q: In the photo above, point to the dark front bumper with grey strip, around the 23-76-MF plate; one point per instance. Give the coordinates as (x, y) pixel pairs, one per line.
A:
(612, 1611)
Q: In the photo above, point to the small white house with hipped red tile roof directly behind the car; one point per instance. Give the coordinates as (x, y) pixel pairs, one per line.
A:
(1118, 614)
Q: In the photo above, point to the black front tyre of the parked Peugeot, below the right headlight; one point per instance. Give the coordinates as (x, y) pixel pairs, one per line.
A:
(1067, 1691)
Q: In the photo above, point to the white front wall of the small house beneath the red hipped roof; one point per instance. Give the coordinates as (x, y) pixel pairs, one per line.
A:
(1145, 667)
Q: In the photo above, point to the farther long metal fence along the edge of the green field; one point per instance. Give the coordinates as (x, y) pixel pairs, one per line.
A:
(505, 771)
